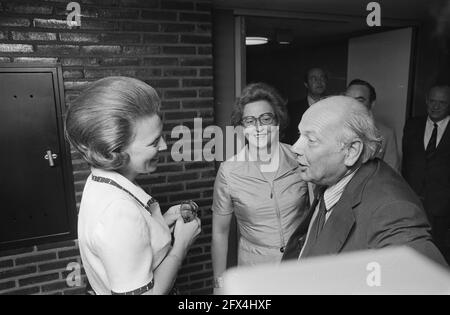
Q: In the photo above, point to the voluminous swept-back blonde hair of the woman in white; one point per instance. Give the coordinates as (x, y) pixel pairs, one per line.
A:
(100, 122)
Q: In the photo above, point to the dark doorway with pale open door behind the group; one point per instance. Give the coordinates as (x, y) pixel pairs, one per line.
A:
(345, 50)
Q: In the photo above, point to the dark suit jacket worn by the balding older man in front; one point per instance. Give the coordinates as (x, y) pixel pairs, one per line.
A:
(376, 210)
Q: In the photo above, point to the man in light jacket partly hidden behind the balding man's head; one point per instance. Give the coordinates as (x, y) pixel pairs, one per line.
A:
(365, 93)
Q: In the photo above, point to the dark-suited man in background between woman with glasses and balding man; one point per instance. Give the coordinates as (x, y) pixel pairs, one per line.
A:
(315, 82)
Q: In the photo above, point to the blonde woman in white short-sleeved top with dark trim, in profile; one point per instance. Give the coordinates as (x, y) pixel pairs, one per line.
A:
(125, 241)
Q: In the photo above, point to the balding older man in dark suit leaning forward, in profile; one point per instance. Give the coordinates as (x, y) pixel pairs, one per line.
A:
(361, 203)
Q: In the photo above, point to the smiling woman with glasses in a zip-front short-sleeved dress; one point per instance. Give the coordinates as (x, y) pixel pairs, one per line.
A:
(261, 185)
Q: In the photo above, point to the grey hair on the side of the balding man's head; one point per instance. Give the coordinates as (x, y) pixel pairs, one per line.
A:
(359, 124)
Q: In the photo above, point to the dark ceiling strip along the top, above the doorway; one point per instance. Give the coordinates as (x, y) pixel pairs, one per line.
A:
(324, 20)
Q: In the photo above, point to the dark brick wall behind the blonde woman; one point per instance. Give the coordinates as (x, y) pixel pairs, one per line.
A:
(164, 43)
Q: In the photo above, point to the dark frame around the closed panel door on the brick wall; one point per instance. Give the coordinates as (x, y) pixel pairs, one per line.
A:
(64, 154)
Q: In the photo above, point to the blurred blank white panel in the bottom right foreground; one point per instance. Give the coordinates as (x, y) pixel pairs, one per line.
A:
(388, 271)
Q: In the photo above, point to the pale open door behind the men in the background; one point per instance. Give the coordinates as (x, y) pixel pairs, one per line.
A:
(384, 60)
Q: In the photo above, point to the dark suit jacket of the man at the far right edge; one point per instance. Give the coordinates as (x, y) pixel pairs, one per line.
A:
(429, 179)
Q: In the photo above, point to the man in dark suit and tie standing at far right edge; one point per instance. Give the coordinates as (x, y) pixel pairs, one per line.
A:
(426, 161)
